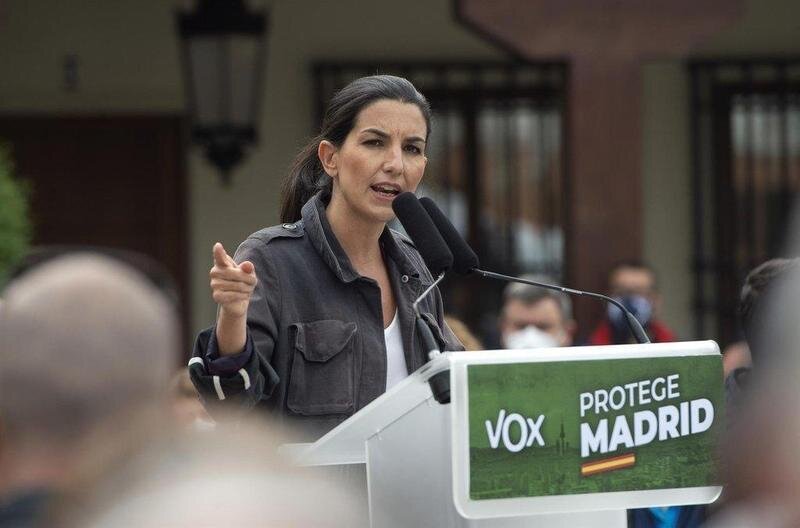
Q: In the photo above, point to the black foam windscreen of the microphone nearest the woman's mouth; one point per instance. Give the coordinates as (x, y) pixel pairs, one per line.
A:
(423, 233)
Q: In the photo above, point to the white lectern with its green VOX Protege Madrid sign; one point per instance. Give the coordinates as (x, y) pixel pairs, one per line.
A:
(555, 438)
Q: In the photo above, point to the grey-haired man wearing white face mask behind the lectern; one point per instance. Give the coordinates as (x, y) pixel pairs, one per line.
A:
(535, 317)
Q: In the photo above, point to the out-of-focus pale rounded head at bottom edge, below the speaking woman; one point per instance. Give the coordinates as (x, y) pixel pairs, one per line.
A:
(224, 477)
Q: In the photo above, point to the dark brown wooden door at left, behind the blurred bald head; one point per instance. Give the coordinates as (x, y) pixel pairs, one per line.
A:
(115, 182)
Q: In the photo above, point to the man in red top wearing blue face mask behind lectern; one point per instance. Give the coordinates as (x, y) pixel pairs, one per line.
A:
(634, 284)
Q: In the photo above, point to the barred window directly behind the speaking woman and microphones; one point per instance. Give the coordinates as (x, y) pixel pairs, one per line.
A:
(496, 166)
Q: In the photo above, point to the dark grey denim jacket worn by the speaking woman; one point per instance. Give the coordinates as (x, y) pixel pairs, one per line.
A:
(315, 350)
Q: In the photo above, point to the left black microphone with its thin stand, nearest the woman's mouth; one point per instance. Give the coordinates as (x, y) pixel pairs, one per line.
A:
(438, 258)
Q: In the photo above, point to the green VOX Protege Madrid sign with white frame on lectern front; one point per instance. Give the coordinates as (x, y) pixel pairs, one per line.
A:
(589, 432)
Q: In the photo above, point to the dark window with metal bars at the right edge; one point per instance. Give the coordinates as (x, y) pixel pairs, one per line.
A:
(745, 119)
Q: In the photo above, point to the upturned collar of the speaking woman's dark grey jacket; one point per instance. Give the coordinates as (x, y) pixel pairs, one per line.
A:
(320, 234)
